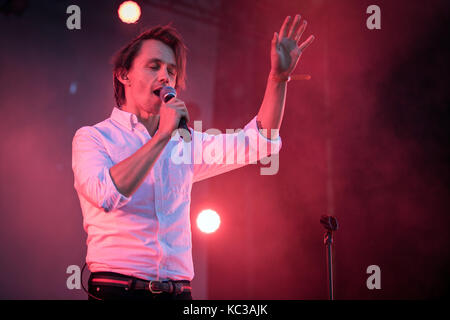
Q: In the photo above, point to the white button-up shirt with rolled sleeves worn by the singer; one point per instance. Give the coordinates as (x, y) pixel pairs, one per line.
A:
(148, 235)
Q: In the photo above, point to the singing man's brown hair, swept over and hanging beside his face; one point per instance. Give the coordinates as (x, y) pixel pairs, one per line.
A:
(123, 60)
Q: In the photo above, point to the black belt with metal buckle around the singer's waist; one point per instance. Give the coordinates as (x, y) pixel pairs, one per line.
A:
(132, 283)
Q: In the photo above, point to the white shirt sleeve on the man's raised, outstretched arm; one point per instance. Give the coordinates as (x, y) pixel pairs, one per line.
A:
(217, 154)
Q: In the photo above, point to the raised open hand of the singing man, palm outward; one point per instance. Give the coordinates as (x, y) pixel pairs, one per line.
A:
(286, 48)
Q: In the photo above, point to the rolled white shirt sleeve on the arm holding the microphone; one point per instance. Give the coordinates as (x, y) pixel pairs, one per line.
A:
(91, 163)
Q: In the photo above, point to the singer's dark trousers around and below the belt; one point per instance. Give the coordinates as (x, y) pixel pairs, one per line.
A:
(109, 292)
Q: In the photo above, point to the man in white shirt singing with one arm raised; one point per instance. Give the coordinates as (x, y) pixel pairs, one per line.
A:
(135, 199)
